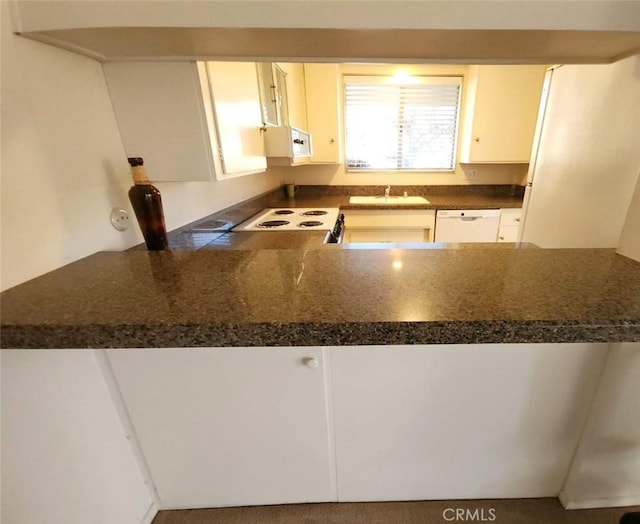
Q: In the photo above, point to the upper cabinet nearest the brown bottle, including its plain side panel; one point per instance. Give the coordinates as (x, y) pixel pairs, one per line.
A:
(189, 121)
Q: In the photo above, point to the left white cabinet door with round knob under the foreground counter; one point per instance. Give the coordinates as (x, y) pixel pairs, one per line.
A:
(229, 426)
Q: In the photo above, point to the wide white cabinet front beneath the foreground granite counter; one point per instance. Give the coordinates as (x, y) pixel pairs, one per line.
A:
(247, 426)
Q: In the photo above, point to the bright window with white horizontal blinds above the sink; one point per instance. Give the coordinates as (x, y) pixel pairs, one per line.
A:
(407, 124)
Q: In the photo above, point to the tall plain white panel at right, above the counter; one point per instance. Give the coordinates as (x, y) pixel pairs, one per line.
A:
(588, 157)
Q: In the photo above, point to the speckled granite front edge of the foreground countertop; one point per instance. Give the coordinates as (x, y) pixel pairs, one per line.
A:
(269, 334)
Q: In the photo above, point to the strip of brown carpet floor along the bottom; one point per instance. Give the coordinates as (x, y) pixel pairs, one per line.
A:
(511, 511)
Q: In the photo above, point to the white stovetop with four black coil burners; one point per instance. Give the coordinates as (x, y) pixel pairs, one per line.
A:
(322, 219)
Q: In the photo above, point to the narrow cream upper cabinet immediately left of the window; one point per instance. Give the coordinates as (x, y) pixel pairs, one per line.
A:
(322, 87)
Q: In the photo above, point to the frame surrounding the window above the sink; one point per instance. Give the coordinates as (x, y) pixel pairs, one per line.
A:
(422, 79)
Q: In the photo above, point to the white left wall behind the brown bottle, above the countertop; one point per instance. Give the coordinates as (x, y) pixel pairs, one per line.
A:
(64, 166)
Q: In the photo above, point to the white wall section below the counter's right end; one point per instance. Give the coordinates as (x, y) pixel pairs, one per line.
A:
(606, 468)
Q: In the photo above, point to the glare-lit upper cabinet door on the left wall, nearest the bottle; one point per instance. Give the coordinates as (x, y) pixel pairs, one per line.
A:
(236, 105)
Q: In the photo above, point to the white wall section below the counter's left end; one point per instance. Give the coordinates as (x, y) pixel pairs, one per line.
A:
(65, 456)
